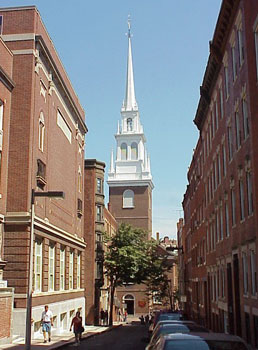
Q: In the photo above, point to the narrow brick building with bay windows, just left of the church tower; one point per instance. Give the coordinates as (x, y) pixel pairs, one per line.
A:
(93, 231)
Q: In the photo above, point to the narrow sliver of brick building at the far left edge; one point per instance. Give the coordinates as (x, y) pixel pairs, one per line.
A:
(6, 88)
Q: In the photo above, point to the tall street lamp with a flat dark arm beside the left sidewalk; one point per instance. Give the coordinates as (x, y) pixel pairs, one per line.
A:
(52, 194)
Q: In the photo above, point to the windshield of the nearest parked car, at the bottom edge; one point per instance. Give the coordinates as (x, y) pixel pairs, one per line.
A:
(199, 344)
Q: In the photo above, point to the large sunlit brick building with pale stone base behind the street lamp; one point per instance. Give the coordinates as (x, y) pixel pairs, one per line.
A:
(46, 134)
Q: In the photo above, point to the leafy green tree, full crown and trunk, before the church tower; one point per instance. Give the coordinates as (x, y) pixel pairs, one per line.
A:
(132, 258)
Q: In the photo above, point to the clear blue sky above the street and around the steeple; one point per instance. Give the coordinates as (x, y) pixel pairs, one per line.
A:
(170, 50)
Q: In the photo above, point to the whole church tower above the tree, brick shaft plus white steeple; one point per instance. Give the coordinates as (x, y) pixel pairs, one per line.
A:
(129, 177)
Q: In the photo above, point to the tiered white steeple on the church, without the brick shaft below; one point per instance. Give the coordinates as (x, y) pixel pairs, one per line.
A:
(132, 164)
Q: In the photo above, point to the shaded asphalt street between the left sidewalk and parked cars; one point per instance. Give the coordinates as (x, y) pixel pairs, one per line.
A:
(126, 337)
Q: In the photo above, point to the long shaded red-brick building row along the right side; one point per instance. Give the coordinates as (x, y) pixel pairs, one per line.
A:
(221, 200)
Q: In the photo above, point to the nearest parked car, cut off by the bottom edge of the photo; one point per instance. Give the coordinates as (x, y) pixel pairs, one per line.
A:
(200, 341)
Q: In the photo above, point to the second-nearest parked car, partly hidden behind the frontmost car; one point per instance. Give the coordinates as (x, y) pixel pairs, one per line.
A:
(170, 328)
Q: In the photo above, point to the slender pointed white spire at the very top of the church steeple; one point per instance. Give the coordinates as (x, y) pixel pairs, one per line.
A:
(130, 100)
